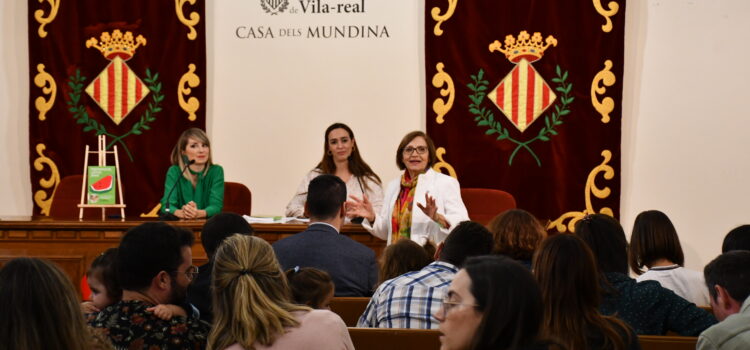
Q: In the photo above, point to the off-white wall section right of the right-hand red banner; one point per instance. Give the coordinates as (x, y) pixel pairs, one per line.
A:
(684, 139)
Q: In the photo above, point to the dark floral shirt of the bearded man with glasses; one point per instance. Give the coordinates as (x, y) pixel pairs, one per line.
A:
(129, 326)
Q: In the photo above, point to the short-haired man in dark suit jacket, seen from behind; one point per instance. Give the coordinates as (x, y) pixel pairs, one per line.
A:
(352, 266)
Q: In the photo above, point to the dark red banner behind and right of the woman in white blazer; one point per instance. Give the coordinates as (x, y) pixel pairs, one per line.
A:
(562, 150)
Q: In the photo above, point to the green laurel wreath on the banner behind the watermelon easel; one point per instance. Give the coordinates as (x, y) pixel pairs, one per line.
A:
(82, 116)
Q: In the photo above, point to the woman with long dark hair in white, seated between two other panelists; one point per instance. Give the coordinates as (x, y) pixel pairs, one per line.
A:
(341, 158)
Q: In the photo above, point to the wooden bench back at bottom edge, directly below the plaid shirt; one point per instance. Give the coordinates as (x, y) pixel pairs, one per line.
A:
(395, 339)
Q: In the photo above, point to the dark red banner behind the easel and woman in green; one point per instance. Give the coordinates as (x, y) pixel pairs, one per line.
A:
(62, 67)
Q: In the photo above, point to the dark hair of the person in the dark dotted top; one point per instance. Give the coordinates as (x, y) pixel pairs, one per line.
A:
(606, 239)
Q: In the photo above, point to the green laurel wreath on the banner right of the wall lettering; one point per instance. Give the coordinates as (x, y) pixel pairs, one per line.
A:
(485, 117)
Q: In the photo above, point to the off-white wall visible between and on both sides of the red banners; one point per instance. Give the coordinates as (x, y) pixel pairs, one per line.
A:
(683, 142)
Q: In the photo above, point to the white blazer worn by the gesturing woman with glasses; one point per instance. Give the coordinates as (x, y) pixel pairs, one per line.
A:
(447, 194)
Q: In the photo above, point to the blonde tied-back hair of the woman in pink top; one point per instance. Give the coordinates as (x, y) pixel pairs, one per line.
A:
(251, 297)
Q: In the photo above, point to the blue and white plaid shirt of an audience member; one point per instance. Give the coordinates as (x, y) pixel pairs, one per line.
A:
(408, 301)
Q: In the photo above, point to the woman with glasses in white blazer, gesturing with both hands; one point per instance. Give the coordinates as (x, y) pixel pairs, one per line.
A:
(421, 205)
